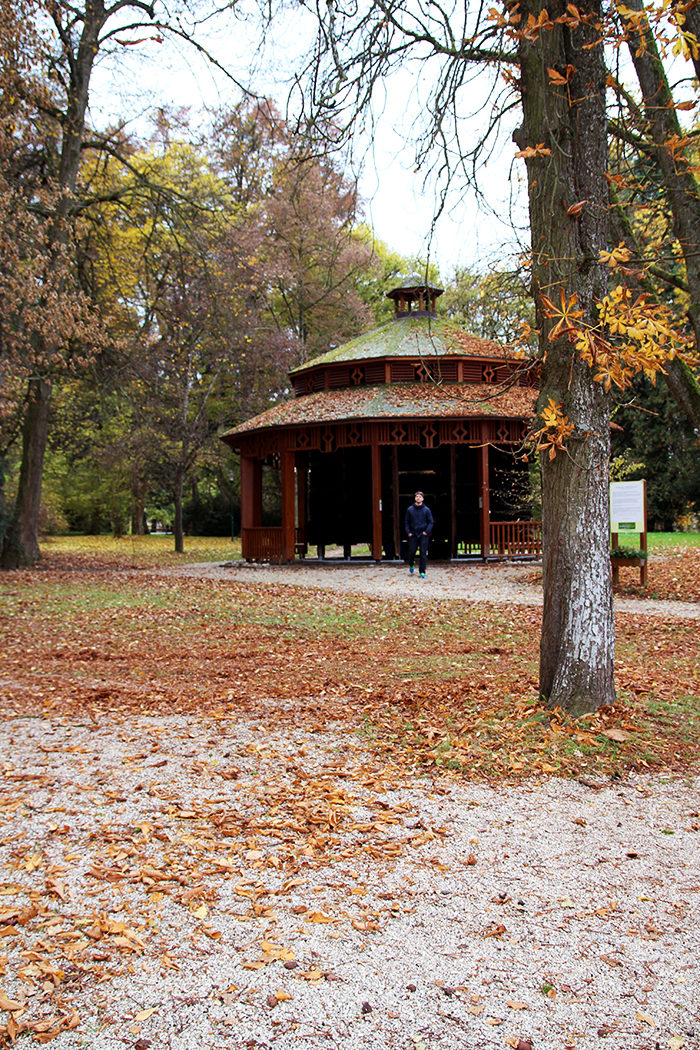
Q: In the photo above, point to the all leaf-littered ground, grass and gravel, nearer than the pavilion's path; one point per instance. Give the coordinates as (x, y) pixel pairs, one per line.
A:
(243, 815)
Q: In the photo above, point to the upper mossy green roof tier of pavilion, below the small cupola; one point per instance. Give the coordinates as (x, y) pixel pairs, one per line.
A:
(421, 337)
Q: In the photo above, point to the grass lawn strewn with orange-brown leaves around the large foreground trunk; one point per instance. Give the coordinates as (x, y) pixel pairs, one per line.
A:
(433, 684)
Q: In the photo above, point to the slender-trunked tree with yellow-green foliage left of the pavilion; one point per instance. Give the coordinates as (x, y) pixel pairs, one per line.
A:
(180, 260)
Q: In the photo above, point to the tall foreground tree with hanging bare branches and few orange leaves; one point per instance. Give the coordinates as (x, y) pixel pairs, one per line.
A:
(554, 65)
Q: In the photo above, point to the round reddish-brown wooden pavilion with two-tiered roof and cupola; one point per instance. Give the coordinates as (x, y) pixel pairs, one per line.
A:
(417, 404)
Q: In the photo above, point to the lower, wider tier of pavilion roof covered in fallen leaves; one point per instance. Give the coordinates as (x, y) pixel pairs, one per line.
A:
(400, 401)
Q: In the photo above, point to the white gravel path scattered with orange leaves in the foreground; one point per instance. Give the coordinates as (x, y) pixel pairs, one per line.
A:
(232, 885)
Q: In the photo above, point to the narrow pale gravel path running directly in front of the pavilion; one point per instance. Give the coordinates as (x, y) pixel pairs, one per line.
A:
(518, 583)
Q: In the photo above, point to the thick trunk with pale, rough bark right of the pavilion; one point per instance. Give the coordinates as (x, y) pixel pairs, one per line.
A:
(578, 641)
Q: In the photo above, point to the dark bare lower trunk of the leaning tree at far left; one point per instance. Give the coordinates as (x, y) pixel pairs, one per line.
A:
(22, 544)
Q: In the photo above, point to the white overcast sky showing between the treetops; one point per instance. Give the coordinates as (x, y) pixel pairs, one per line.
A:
(399, 208)
